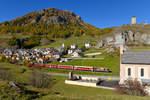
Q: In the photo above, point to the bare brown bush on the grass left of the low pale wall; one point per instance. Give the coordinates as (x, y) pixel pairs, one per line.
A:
(40, 80)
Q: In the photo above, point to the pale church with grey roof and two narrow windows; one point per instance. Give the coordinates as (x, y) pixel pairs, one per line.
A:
(135, 65)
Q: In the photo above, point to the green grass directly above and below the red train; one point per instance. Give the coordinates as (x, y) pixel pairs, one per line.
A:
(114, 67)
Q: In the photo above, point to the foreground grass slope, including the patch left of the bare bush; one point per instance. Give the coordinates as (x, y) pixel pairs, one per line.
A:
(62, 91)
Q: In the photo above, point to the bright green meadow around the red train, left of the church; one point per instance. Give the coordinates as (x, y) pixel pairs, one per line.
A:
(113, 63)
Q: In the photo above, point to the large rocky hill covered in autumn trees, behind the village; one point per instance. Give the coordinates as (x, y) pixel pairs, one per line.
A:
(52, 21)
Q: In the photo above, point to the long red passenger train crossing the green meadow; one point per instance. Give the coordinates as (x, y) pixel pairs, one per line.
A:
(71, 67)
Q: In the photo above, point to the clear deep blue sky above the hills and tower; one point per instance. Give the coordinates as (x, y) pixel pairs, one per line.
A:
(100, 13)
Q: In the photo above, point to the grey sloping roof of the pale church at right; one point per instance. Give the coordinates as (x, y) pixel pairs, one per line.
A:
(136, 57)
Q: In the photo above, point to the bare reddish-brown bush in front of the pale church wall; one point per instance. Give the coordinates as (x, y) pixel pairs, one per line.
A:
(132, 87)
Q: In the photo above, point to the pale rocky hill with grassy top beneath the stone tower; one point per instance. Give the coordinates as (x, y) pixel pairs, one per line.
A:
(138, 34)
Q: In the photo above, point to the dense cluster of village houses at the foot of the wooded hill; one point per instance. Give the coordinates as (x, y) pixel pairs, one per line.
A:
(51, 54)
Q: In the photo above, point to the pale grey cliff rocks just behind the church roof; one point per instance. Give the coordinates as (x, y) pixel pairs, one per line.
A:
(127, 37)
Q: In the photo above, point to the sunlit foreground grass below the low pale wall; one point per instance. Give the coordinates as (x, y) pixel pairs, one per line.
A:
(72, 92)
